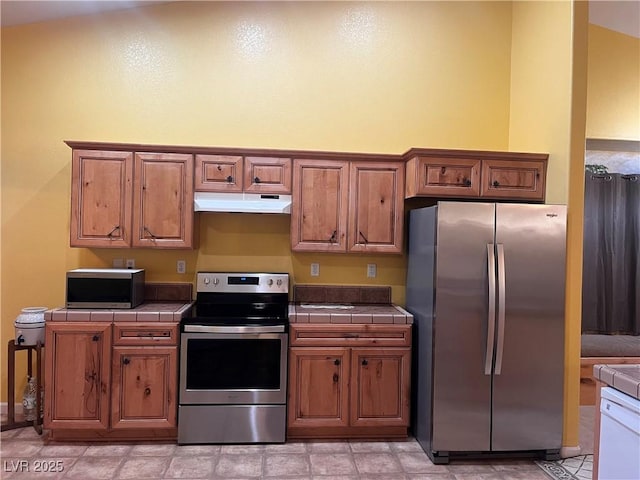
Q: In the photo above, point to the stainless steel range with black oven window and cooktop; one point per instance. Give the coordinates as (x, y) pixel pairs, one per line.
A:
(233, 360)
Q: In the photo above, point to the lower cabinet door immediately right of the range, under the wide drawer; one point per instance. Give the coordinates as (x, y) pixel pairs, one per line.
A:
(318, 387)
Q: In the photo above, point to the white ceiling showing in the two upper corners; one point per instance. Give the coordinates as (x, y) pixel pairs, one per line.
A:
(619, 15)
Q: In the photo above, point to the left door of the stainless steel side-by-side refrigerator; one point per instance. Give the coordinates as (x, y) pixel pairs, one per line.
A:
(461, 390)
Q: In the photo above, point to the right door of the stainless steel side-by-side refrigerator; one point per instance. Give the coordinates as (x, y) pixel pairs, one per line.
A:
(528, 389)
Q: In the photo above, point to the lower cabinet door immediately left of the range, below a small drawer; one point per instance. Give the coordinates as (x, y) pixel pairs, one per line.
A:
(144, 387)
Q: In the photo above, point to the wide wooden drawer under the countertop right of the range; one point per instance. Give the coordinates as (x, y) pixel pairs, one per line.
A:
(323, 335)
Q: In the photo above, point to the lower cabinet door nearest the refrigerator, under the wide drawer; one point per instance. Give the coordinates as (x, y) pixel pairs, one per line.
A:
(380, 386)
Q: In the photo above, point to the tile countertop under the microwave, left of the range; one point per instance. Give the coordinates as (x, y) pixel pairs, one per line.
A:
(146, 312)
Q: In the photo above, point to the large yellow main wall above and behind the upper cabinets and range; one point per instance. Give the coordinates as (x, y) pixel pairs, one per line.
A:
(376, 77)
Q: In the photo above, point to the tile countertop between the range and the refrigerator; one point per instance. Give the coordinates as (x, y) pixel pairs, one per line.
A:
(346, 313)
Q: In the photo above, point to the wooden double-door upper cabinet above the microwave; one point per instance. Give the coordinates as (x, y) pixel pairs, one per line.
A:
(122, 199)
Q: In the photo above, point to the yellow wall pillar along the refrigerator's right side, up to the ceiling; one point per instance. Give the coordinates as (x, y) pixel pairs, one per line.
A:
(548, 94)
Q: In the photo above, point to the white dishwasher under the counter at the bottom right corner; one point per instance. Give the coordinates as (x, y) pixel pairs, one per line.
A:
(619, 457)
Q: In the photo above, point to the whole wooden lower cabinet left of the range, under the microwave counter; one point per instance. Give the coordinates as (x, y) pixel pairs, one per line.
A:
(111, 381)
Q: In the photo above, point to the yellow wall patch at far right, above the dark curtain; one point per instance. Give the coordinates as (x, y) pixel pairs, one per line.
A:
(613, 94)
